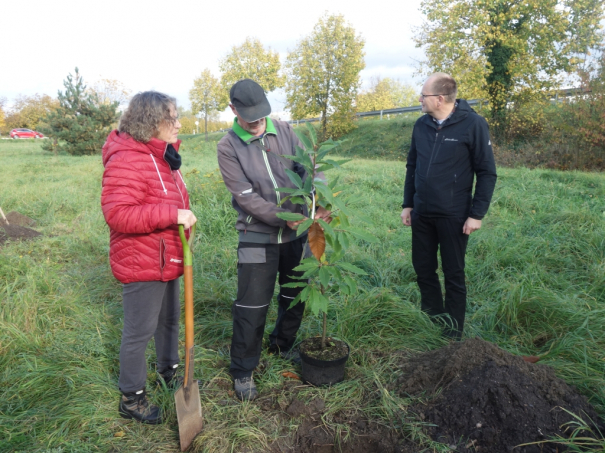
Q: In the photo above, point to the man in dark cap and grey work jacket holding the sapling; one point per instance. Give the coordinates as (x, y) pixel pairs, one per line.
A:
(250, 161)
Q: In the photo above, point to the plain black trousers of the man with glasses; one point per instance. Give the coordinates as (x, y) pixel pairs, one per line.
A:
(430, 234)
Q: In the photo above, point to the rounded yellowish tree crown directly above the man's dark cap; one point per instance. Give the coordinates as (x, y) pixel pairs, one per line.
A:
(251, 60)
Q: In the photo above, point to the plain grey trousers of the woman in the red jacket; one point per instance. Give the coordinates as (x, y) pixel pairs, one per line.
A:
(151, 309)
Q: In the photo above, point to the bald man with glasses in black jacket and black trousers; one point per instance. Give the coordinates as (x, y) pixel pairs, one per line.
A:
(450, 146)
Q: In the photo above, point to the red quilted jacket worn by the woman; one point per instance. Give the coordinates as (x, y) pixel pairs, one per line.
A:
(141, 197)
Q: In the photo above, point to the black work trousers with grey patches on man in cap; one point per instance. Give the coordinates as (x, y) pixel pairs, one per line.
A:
(257, 268)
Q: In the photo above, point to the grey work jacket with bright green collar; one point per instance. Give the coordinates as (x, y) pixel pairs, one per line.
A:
(252, 171)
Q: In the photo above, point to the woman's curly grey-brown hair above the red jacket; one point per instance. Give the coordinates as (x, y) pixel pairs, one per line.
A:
(145, 113)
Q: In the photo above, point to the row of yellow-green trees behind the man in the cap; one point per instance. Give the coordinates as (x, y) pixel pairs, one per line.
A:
(321, 77)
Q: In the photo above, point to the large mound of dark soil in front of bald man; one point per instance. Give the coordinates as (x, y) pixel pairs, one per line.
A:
(491, 401)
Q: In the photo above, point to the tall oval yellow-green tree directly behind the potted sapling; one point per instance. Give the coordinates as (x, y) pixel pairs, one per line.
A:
(322, 75)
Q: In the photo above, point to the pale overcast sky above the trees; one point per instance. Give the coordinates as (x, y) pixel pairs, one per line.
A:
(165, 45)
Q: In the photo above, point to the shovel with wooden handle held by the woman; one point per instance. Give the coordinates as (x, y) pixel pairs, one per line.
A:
(187, 397)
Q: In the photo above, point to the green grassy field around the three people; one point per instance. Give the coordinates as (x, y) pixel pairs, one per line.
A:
(536, 275)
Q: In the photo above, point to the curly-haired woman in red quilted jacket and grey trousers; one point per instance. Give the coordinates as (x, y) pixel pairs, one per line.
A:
(144, 199)
